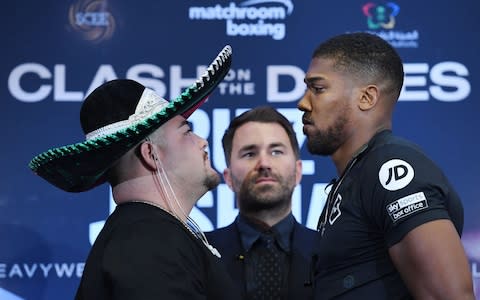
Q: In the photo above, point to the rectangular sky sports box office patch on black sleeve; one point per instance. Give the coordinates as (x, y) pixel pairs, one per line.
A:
(406, 206)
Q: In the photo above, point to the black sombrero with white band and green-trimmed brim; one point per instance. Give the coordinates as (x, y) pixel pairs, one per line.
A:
(115, 117)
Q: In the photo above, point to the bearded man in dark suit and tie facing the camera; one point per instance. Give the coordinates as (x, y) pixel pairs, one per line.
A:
(266, 251)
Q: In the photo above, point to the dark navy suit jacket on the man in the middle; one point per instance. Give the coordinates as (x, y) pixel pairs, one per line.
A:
(228, 243)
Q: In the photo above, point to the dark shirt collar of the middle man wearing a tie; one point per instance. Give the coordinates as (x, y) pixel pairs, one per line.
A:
(250, 232)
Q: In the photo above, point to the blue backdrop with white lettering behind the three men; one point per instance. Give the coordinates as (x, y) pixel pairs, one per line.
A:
(55, 52)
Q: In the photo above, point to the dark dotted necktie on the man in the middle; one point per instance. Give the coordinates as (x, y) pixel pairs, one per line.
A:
(269, 270)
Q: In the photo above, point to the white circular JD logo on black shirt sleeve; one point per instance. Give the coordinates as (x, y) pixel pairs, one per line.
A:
(395, 174)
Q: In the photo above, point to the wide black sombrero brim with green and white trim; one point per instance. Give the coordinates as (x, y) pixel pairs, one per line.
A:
(82, 166)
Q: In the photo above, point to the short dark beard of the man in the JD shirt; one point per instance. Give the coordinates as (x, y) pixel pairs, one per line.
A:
(328, 141)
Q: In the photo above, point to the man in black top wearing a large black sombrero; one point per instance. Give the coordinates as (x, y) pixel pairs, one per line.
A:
(158, 168)
